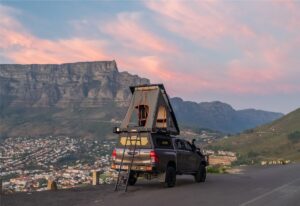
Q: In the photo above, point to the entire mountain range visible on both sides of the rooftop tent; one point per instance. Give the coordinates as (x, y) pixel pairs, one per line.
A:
(89, 98)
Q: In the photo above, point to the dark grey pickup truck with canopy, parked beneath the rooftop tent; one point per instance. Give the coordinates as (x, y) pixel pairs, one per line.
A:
(159, 156)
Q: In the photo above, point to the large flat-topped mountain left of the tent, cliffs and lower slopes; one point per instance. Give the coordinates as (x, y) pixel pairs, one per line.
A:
(78, 99)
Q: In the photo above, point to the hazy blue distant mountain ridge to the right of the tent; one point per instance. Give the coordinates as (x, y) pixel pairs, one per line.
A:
(220, 116)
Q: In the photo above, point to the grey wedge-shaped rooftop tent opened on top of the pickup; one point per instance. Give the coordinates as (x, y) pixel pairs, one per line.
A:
(150, 109)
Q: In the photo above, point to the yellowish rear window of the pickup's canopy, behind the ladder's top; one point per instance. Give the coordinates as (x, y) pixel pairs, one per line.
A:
(144, 141)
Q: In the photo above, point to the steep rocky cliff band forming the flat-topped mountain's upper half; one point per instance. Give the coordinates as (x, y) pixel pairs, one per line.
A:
(85, 84)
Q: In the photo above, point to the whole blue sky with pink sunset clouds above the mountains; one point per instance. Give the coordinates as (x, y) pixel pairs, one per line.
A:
(244, 53)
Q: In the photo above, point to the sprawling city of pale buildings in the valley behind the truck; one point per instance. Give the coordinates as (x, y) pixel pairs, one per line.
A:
(27, 163)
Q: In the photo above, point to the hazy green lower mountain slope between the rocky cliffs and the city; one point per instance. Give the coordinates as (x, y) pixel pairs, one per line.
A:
(74, 122)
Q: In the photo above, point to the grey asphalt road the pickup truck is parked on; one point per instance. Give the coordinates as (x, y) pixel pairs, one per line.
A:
(272, 185)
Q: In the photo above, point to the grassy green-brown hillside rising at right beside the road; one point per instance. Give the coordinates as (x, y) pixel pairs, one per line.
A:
(277, 140)
